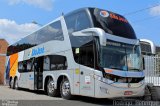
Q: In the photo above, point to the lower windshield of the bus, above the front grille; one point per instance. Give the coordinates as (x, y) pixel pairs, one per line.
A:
(121, 56)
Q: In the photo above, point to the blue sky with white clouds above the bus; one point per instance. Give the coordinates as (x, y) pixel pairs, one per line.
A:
(16, 16)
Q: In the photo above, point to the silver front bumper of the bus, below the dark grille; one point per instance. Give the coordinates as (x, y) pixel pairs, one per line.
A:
(104, 90)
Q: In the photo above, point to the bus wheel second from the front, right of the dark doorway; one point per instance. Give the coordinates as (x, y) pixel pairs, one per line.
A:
(51, 91)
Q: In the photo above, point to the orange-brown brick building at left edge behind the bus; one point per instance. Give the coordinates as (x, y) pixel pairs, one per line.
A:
(3, 50)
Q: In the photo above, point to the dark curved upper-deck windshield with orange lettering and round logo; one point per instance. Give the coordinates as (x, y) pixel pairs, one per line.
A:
(112, 23)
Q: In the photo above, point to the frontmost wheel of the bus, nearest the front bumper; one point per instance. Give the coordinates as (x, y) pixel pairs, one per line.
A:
(65, 89)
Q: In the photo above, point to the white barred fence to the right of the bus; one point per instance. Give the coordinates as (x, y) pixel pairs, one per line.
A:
(152, 70)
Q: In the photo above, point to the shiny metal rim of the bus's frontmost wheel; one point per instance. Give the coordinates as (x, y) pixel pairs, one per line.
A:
(66, 88)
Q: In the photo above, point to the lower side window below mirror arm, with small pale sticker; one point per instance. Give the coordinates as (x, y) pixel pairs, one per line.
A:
(83, 50)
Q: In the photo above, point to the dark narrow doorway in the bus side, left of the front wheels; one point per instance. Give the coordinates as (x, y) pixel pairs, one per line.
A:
(38, 73)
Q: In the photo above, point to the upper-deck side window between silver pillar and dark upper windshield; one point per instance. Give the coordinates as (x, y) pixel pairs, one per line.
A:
(77, 21)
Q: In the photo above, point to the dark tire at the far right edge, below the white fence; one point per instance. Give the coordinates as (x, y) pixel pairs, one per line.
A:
(155, 94)
